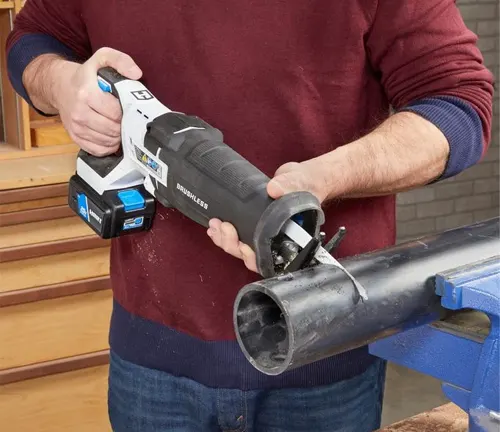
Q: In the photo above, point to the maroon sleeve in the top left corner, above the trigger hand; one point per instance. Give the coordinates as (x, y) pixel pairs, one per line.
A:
(59, 19)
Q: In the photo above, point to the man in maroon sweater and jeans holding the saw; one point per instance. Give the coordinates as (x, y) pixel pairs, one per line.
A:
(303, 90)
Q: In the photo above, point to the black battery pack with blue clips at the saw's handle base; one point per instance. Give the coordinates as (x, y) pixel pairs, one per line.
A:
(114, 213)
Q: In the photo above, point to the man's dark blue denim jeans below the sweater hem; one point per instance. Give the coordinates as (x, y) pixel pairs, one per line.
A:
(145, 400)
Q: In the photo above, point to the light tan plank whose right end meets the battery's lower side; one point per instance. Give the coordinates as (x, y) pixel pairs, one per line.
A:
(42, 232)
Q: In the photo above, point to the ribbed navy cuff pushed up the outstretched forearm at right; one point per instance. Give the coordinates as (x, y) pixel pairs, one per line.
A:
(461, 125)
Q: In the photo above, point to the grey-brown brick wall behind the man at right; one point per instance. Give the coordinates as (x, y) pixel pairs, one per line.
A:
(473, 194)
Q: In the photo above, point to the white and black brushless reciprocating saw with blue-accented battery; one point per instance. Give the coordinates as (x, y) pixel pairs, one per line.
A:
(182, 162)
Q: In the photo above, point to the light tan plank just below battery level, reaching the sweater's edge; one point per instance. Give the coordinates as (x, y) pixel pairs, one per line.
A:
(54, 269)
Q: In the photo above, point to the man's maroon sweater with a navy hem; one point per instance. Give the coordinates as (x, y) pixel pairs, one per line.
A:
(284, 81)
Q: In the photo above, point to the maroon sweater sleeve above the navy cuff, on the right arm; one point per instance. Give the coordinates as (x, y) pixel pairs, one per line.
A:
(422, 48)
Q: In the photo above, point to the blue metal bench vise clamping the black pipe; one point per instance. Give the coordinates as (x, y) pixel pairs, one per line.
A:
(461, 350)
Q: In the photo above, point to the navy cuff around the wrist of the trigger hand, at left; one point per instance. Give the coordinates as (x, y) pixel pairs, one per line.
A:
(24, 51)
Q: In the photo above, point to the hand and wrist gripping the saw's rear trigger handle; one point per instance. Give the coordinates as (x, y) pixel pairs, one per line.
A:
(91, 116)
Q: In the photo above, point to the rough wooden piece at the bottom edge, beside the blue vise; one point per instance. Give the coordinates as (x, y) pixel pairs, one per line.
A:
(446, 418)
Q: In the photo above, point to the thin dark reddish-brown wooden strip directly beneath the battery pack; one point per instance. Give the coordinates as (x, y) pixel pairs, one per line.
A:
(52, 248)
